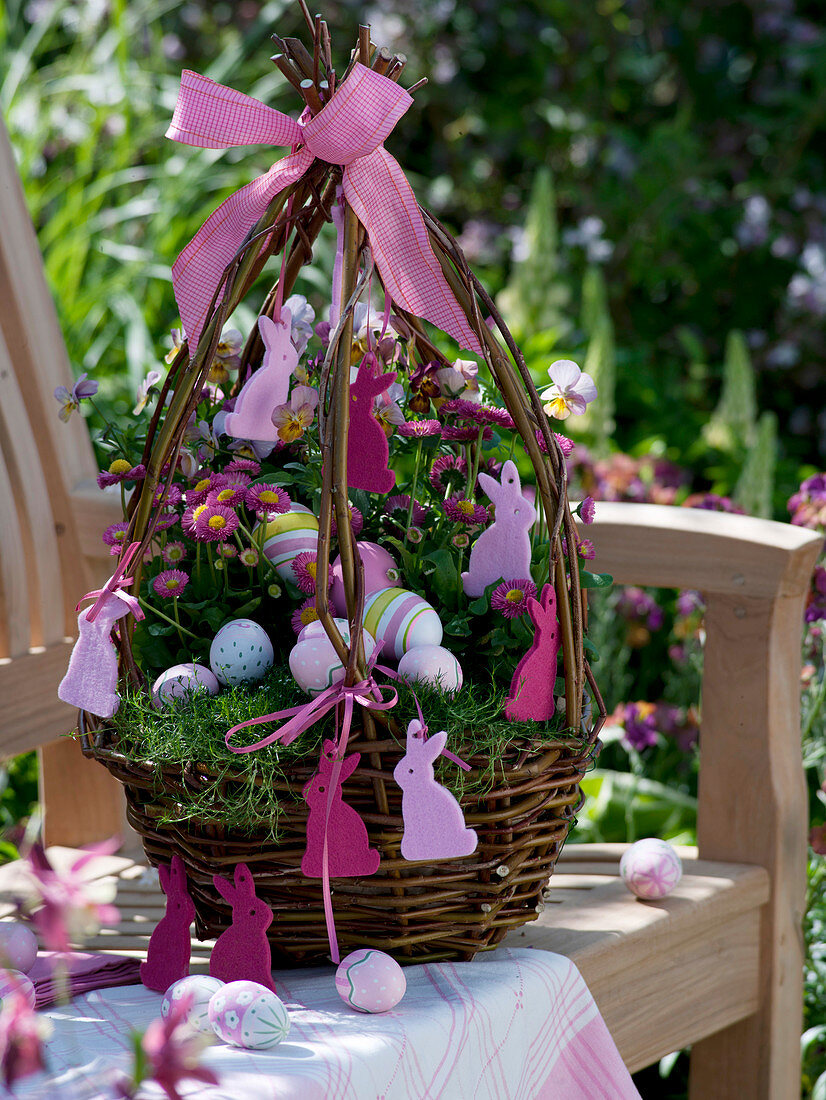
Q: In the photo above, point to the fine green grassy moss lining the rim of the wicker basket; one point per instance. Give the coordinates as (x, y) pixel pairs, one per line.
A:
(193, 730)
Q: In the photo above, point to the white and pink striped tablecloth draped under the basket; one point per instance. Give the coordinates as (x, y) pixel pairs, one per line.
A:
(511, 1026)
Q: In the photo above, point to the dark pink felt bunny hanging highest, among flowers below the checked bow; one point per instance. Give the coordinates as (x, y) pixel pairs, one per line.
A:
(368, 447)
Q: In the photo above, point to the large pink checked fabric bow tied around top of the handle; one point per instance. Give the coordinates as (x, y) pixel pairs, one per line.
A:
(350, 131)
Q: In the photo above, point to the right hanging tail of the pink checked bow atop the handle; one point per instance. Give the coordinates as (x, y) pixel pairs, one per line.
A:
(383, 201)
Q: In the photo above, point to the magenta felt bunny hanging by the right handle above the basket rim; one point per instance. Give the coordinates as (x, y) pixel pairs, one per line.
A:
(531, 698)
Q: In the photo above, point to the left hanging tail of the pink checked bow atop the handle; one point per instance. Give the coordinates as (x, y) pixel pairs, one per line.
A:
(199, 272)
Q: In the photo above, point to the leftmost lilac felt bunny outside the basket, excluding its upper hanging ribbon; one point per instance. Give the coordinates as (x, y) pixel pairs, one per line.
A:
(92, 678)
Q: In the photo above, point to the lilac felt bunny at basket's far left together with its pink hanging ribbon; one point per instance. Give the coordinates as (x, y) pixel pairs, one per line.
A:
(92, 678)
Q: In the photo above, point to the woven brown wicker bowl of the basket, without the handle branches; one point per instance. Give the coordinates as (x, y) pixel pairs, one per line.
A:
(417, 912)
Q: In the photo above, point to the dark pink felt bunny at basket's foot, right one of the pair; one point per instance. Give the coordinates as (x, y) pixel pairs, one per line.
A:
(243, 952)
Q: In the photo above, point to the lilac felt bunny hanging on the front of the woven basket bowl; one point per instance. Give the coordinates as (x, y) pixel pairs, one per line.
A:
(435, 826)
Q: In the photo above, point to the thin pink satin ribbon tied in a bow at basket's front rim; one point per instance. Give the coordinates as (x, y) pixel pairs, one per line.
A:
(301, 720)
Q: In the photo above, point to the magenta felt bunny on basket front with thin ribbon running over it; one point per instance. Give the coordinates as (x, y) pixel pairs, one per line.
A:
(349, 854)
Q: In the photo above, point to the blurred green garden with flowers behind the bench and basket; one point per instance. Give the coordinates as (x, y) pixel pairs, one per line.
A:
(643, 185)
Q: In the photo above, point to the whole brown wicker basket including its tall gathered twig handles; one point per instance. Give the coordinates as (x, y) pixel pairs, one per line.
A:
(414, 910)
